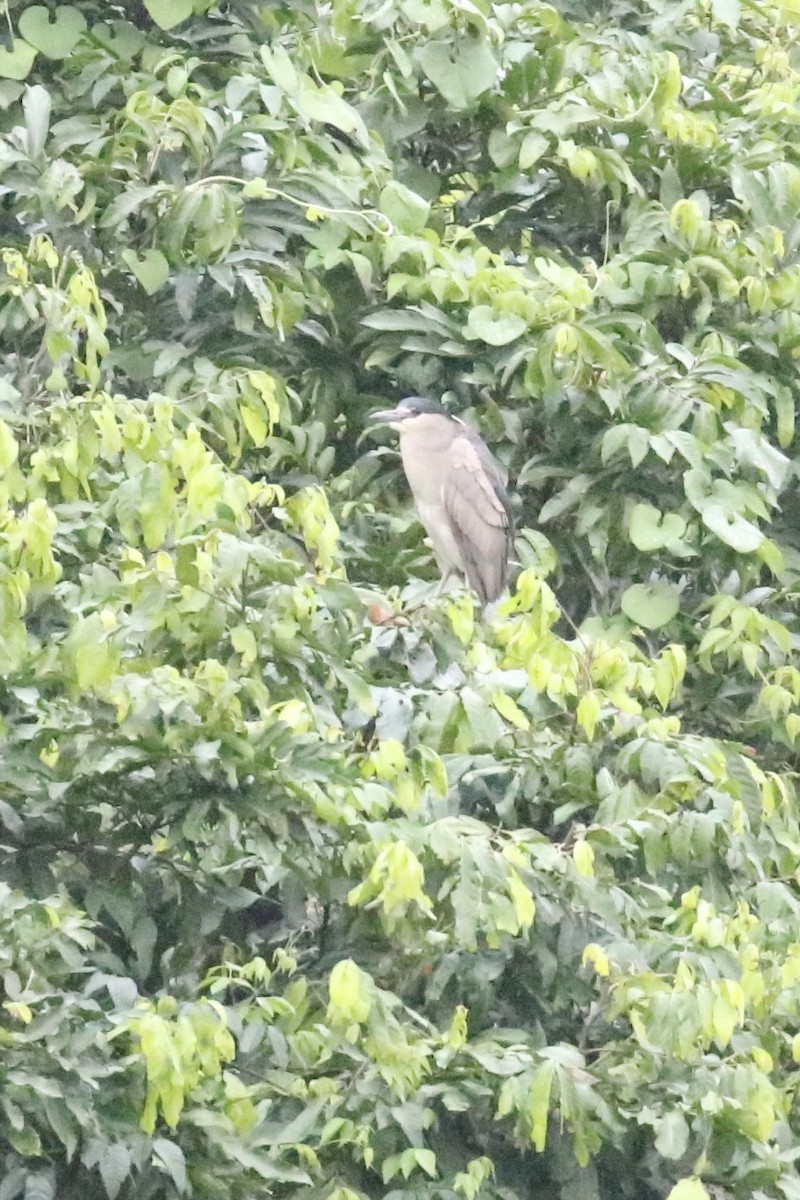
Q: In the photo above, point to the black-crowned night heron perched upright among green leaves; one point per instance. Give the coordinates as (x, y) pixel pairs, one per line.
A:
(459, 491)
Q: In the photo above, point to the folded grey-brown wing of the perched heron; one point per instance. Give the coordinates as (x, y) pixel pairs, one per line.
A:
(480, 514)
